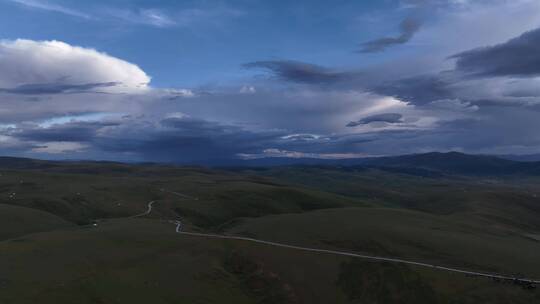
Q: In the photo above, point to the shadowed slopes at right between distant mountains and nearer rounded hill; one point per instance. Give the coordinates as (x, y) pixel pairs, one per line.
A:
(510, 202)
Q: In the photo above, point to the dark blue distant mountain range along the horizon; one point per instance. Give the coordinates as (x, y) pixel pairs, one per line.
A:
(429, 164)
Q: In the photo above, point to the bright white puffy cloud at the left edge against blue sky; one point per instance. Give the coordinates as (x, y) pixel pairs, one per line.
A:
(28, 62)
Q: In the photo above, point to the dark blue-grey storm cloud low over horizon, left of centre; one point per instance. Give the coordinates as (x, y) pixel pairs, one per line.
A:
(183, 139)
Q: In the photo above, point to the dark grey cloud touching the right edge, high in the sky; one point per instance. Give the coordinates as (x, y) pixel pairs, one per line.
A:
(519, 56)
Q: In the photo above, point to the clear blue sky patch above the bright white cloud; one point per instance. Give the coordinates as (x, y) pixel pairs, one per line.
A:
(204, 41)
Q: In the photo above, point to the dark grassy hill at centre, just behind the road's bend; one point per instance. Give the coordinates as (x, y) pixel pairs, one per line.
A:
(224, 200)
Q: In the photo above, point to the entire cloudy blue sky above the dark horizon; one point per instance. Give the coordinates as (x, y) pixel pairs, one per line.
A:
(200, 81)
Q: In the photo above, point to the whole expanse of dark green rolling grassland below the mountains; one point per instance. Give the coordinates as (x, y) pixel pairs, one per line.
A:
(51, 252)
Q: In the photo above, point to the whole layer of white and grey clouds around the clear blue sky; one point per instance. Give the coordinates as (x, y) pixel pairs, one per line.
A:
(64, 101)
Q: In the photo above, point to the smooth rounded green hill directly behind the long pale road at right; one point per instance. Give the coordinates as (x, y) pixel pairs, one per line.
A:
(406, 234)
